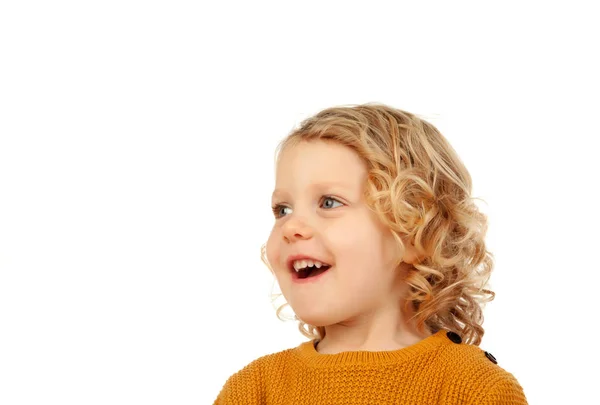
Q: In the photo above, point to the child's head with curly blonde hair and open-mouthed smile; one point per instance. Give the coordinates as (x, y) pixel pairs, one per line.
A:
(381, 199)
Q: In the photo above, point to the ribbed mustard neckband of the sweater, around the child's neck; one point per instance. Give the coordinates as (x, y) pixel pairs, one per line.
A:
(307, 353)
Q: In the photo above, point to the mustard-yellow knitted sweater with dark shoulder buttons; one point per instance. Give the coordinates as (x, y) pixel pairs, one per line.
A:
(439, 369)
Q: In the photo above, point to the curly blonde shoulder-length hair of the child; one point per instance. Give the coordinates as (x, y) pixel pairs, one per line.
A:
(418, 186)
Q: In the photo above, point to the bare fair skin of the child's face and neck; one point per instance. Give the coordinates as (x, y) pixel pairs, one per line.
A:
(321, 212)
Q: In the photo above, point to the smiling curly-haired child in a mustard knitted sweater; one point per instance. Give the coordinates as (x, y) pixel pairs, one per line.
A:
(379, 249)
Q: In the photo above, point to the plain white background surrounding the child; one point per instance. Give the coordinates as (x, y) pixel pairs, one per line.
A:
(136, 167)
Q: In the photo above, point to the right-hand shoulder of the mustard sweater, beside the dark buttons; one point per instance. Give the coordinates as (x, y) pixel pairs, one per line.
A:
(475, 376)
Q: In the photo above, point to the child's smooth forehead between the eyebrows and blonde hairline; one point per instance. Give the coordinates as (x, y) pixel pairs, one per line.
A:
(319, 165)
